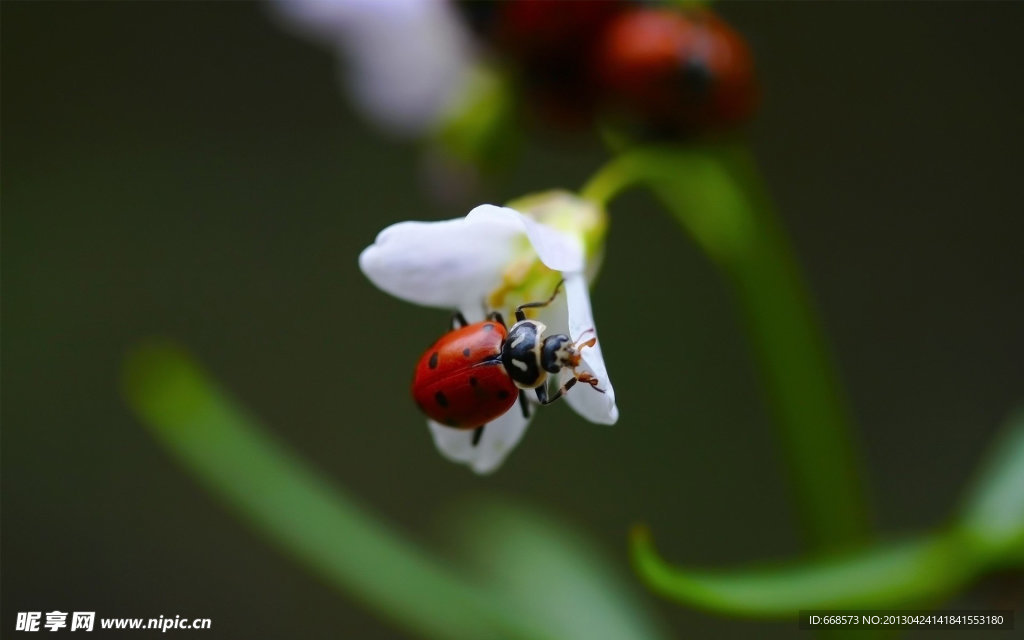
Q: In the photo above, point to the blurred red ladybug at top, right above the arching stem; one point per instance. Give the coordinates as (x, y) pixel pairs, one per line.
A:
(685, 70)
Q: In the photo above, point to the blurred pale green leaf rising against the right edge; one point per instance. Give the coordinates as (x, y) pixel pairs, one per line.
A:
(994, 514)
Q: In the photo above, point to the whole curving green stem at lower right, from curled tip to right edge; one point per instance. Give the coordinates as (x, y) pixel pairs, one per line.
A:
(986, 535)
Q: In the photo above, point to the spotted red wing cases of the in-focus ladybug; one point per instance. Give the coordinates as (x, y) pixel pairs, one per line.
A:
(460, 381)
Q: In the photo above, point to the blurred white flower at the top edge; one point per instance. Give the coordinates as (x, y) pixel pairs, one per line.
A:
(407, 60)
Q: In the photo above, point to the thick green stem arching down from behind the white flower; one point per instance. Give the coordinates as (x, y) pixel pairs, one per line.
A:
(716, 195)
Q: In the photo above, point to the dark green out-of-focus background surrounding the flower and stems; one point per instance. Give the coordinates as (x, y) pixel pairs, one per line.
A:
(192, 172)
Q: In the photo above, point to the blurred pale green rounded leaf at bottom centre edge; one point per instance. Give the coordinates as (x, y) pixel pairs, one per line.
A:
(552, 574)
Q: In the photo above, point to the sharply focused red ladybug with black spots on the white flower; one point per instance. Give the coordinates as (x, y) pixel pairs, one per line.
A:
(476, 373)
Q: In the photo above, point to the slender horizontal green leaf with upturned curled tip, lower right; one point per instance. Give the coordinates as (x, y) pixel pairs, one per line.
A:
(913, 572)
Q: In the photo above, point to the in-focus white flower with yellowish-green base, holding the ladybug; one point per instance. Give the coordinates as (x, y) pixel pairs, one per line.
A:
(497, 259)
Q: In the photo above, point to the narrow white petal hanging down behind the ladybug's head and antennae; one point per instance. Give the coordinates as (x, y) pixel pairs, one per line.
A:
(595, 407)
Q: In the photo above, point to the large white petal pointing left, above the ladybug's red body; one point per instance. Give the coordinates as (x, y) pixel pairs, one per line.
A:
(449, 265)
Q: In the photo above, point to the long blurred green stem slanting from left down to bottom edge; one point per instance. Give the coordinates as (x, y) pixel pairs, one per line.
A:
(319, 525)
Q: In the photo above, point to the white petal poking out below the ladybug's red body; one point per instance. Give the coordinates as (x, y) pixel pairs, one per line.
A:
(498, 440)
